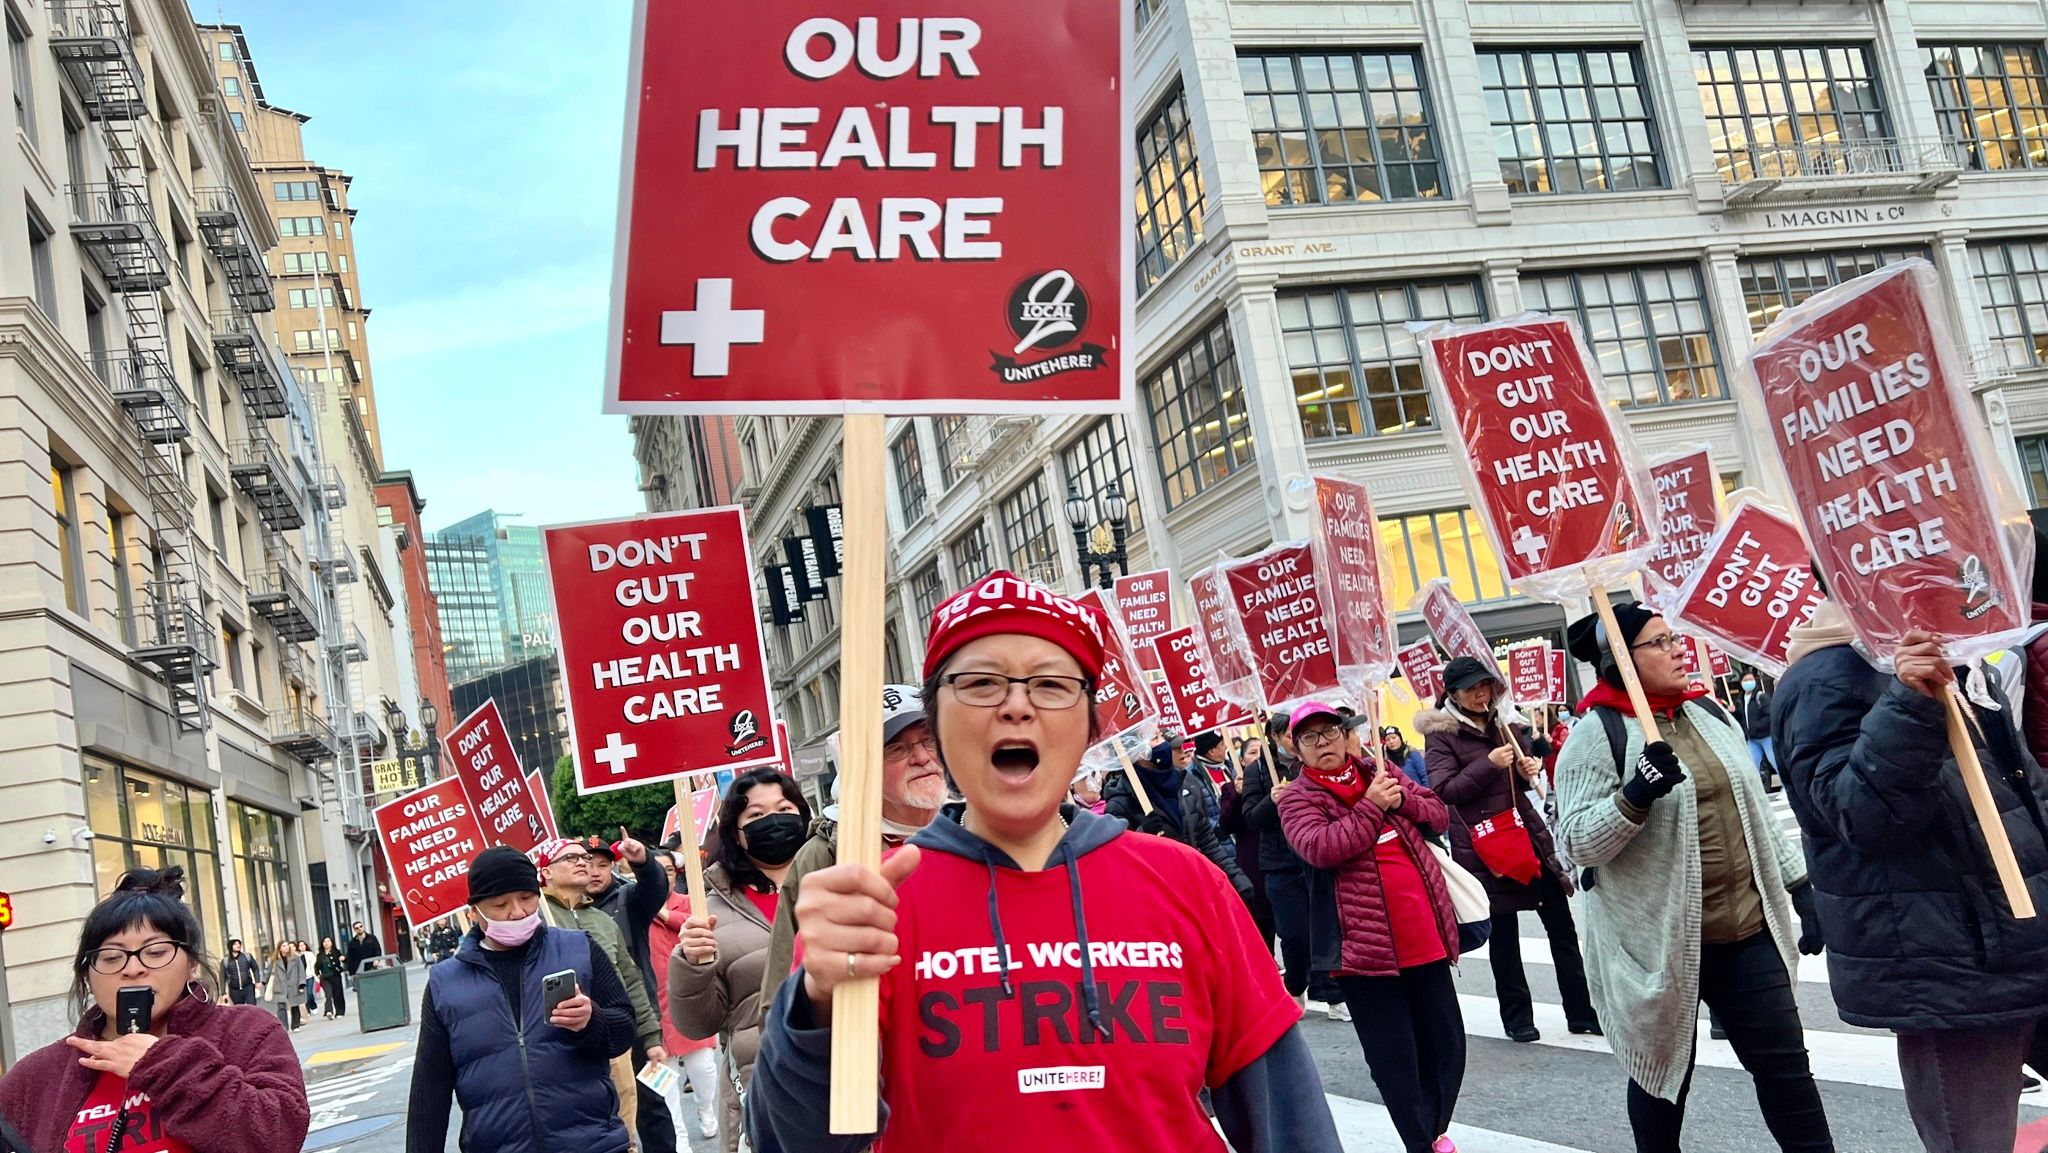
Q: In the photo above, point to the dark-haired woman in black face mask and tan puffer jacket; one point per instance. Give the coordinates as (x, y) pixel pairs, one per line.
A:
(716, 974)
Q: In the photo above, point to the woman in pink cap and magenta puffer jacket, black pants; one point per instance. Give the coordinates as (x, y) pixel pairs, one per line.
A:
(1381, 919)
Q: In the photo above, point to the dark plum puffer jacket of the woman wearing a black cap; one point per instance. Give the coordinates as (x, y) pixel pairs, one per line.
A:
(1476, 789)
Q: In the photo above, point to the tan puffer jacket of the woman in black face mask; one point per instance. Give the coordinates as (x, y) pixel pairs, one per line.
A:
(726, 998)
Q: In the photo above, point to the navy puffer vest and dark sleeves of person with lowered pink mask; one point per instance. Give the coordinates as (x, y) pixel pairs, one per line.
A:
(529, 1086)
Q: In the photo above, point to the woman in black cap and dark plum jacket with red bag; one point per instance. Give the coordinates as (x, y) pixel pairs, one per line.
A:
(1484, 771)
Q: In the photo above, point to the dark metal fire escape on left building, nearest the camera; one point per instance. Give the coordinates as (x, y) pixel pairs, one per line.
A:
(118, 230)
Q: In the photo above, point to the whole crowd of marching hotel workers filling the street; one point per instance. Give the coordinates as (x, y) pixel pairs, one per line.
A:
(1064, 951)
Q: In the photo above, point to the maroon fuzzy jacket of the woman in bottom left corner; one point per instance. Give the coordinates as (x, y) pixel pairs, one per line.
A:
(222, 1078)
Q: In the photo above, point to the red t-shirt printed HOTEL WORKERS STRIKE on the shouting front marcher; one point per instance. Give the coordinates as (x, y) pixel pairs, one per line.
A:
(1189, 992)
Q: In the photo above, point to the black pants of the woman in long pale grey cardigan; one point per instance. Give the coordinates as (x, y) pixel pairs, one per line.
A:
(1748, 986)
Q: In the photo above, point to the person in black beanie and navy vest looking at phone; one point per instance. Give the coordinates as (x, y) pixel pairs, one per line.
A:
(521, 1027)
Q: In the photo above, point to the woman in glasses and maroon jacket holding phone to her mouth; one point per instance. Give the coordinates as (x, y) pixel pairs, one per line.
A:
(185, 1074)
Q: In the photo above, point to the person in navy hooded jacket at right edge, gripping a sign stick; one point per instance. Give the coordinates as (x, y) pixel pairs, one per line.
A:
(1920, 939)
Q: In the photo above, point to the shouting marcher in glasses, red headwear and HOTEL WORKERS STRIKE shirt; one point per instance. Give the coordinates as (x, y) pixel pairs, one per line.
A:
(1019, 900)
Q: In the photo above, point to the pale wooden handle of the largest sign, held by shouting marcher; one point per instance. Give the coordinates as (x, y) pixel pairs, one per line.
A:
(863, 585)
